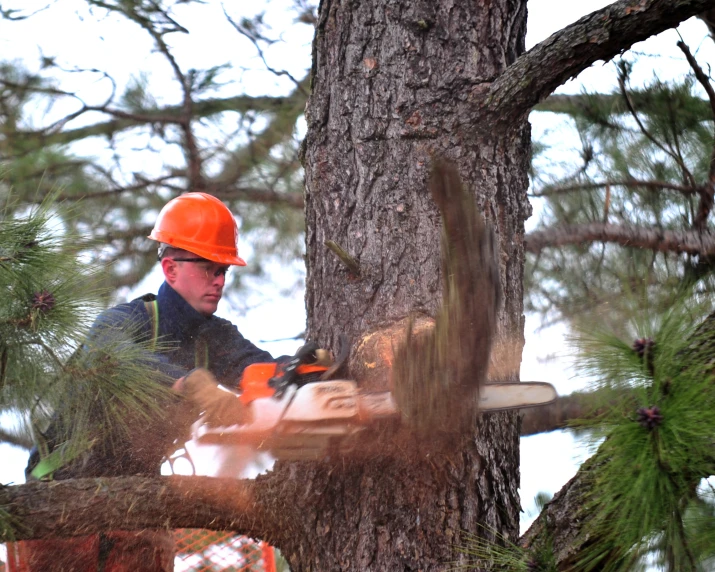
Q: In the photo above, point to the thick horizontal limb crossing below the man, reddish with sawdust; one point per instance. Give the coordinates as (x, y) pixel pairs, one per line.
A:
(85, 506)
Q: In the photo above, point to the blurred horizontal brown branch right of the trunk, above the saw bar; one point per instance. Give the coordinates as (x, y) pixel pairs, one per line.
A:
(676, 241)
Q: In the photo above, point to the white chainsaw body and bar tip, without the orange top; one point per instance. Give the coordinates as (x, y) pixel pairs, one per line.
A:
(308, 422)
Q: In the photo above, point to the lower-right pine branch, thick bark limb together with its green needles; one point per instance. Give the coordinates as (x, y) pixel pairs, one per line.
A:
(640, 483)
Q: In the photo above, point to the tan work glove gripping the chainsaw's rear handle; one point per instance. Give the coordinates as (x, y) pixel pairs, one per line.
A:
(220, 407)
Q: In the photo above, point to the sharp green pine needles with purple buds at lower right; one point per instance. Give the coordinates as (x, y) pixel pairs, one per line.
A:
(658, 443)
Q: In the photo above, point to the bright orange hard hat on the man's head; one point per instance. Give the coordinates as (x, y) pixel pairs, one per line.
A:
(200, 224)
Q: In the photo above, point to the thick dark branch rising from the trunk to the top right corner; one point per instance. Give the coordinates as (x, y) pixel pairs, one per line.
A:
(601, 35)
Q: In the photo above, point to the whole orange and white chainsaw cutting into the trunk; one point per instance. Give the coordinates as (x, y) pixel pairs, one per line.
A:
(299, 413)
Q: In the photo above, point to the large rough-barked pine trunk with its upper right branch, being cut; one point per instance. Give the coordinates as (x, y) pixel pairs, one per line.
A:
(395, 82)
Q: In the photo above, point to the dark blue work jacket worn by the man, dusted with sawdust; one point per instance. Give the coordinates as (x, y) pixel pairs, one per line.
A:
(186, 339)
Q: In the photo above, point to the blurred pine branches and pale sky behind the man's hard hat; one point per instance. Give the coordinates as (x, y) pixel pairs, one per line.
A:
(126, 144)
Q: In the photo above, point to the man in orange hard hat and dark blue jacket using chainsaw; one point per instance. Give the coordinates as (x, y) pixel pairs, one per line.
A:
(197, 237)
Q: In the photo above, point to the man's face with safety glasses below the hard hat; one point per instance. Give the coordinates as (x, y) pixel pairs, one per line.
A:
(199, 282)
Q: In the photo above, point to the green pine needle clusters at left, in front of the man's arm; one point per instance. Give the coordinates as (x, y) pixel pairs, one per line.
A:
(47, 307)
